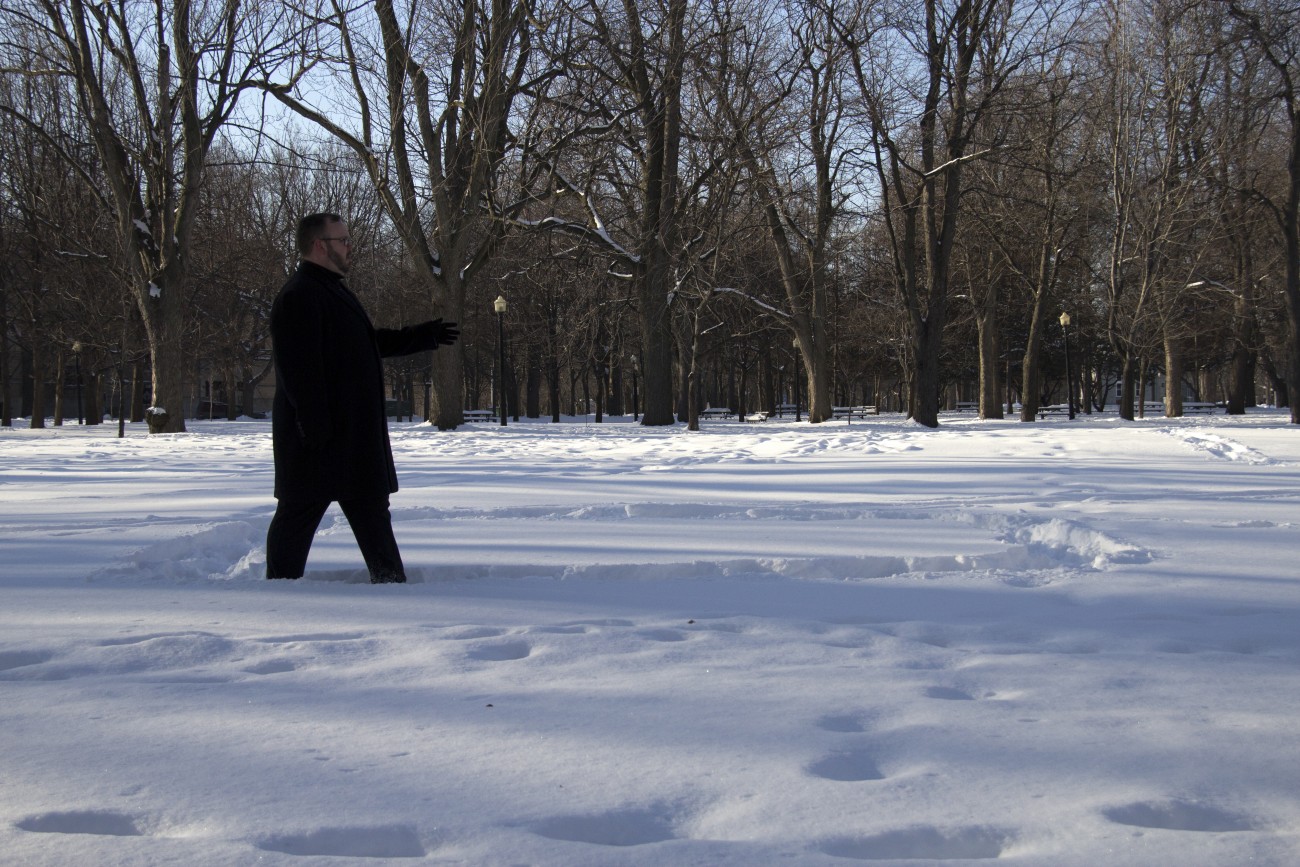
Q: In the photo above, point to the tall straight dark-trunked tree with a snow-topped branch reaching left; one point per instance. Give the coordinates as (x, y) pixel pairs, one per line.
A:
(622, 105)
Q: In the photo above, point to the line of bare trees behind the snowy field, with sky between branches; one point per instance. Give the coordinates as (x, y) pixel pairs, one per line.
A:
(720, 202)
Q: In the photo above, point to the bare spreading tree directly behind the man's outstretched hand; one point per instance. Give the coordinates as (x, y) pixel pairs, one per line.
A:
(434, 86)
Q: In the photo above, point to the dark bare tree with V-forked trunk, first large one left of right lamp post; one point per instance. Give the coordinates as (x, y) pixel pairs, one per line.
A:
(929, 77)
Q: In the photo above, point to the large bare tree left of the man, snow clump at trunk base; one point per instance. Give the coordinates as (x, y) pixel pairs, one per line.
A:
(157, 80)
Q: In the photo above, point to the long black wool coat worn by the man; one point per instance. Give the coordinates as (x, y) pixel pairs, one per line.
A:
(330, 427)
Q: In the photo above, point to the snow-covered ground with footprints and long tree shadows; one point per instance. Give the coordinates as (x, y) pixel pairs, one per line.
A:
(772, 644)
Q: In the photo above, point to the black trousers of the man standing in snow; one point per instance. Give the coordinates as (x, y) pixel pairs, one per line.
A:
(289, 537)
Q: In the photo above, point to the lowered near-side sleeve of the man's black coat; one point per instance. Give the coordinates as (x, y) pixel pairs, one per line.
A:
(298, 337)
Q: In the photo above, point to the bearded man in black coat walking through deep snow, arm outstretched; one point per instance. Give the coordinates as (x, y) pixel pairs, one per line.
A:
(330, 427)
